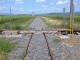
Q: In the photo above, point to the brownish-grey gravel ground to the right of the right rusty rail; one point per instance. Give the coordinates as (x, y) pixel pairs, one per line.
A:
(61, 51)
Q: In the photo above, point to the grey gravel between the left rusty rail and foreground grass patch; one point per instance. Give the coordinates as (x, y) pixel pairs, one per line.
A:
(18, 52)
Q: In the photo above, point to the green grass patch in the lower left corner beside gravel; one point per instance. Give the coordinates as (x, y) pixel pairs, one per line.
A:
(5, 47)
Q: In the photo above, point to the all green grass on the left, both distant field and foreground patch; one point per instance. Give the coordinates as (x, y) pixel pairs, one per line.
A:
(18, 23)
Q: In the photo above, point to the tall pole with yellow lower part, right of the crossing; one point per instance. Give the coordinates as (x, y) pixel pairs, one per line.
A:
(71, 17)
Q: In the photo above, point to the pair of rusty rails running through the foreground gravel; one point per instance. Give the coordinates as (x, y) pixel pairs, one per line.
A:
(49, 50)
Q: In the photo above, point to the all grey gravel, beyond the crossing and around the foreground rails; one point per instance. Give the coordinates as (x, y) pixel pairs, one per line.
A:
(38, 49)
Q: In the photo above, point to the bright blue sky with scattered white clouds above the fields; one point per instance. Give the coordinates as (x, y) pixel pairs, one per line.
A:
(36, 6)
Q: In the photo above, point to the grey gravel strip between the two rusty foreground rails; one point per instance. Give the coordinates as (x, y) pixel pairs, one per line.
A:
(38, 49)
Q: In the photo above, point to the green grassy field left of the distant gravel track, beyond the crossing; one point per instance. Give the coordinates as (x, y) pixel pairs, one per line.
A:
(18, 22)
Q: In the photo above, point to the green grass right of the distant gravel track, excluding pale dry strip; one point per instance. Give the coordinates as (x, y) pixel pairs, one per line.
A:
(61, 18)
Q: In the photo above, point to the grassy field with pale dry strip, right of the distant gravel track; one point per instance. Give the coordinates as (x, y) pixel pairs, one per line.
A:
(57, 21)
